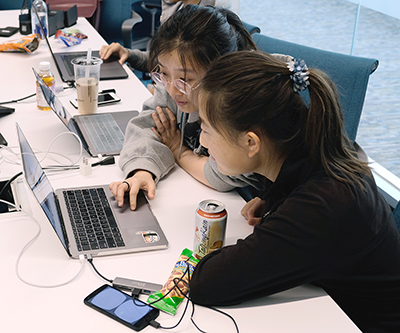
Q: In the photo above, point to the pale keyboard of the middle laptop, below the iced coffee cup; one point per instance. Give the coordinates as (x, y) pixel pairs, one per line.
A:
(104, 132)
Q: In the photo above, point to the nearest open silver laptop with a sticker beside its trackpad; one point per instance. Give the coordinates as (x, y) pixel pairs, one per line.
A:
(87, 220)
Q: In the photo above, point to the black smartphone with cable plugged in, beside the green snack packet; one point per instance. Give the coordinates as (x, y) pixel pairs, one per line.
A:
(121, 307)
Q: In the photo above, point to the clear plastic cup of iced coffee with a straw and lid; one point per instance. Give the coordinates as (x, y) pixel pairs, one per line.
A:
(87, 76)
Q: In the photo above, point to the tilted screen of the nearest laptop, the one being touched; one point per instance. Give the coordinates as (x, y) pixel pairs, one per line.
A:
(40, 185)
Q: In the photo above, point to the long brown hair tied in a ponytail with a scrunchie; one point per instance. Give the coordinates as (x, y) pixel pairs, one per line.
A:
(253, 91)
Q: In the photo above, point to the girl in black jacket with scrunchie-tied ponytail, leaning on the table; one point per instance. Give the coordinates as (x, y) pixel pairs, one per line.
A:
(322, 219)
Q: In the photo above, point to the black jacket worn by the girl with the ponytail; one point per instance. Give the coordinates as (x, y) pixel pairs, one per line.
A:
(320, 231)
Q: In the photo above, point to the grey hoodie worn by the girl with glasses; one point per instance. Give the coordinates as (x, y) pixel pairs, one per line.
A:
(143, 150)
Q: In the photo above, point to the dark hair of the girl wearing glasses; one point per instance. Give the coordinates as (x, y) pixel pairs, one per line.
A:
(200, 35)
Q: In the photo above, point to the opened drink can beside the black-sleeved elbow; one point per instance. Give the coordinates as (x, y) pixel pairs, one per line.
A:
(210, 227)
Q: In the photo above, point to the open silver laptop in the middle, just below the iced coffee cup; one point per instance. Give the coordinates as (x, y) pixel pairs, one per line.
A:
(100, 133)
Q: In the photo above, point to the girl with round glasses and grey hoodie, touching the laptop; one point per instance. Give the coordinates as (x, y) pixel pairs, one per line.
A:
(167, 130)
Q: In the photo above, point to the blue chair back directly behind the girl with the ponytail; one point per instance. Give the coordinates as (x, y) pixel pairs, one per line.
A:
(349, 73)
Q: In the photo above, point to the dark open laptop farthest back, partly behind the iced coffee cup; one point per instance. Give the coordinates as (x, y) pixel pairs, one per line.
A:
(109, 69)
